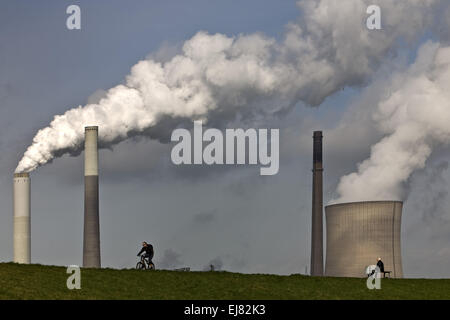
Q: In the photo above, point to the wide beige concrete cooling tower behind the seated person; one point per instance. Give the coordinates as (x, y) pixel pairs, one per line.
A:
(360, 232)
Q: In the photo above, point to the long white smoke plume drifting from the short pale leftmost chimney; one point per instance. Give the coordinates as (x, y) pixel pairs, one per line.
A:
(218, 78)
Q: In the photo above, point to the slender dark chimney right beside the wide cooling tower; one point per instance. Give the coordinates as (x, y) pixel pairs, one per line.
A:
(317, 208)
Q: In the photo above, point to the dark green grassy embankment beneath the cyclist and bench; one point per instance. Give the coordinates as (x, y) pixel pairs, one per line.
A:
(49, 282)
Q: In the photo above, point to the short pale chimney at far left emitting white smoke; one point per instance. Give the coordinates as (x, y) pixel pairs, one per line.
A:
(22, 218)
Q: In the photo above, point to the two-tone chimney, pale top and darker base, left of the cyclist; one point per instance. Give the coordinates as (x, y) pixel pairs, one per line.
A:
(91, 243)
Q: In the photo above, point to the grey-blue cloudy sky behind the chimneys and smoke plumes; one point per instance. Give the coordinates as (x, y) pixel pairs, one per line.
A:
(232, 217)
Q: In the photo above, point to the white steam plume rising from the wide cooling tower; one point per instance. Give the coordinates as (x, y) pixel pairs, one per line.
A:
(415, 118)
